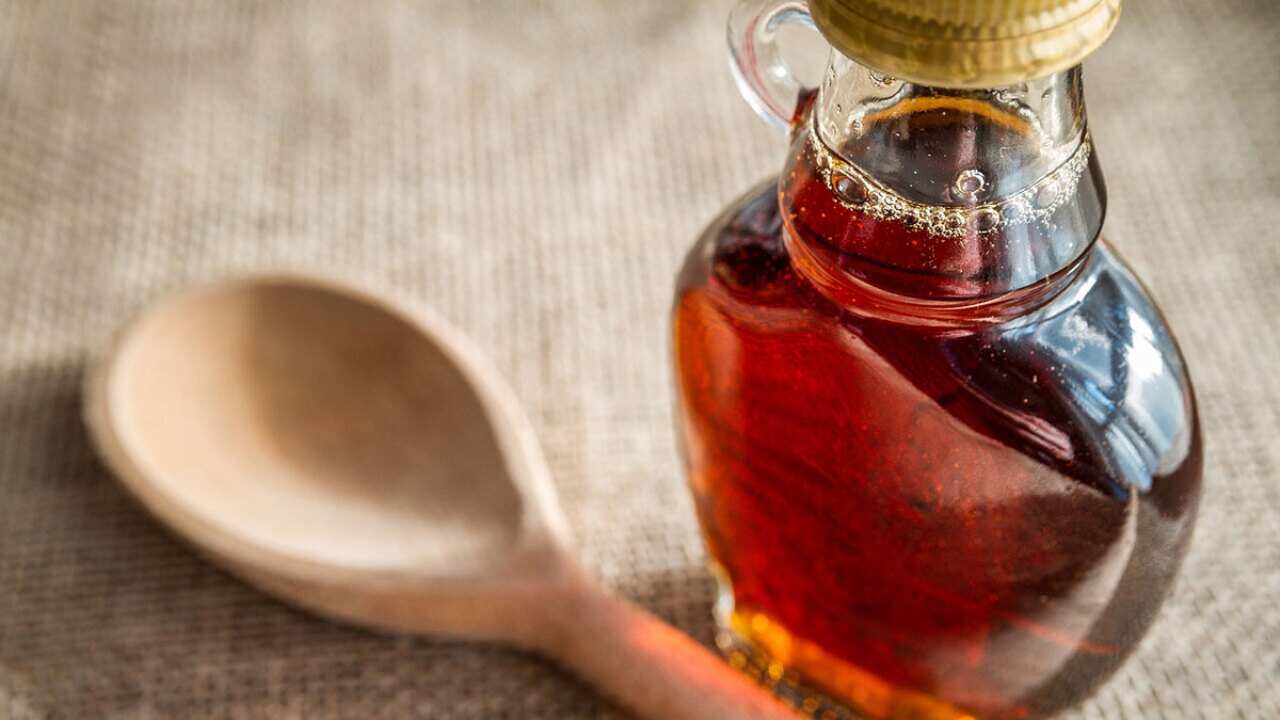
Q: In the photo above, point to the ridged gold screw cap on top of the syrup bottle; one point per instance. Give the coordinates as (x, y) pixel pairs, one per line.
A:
(967, 43)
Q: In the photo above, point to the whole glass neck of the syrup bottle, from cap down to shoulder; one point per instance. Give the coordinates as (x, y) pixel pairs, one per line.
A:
(938, 202)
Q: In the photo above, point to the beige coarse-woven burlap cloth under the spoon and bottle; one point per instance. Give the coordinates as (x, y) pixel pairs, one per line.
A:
(536, 172)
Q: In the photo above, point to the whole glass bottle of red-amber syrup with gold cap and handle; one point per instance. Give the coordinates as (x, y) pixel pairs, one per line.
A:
(944, 449)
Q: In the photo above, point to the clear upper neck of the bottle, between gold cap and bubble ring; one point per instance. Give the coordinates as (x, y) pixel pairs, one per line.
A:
(977, 145)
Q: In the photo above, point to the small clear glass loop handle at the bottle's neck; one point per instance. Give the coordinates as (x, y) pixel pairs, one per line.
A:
(764, 78)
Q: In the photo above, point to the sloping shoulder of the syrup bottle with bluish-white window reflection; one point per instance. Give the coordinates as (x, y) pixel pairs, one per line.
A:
(1091, 379)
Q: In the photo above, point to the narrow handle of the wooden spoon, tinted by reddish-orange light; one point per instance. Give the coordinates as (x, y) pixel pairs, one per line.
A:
(652, 668)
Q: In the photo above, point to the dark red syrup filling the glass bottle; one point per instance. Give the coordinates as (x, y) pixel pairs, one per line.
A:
(913, 513)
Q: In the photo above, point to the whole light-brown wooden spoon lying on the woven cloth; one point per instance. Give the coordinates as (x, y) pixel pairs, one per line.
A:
(363, 462)
